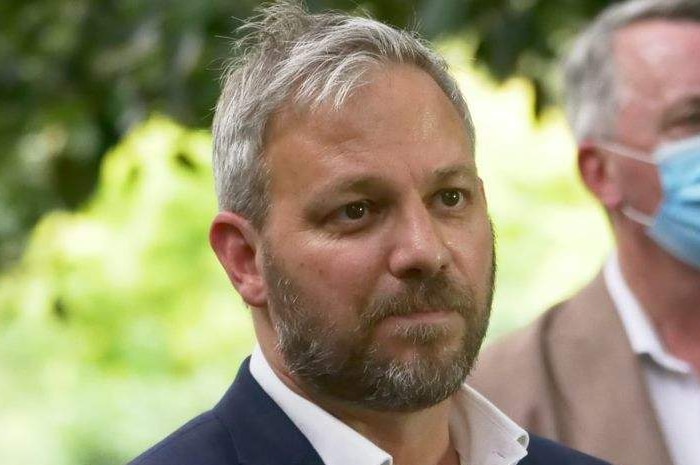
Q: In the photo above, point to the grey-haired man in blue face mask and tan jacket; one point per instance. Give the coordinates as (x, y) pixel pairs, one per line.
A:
(614, 371)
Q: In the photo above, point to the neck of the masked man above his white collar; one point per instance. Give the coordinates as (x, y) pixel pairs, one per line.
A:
(669, 292)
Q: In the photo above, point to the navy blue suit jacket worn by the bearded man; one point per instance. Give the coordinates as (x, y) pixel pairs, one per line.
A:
(247, 427)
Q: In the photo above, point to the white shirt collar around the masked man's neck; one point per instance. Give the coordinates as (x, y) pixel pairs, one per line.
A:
(640, 331)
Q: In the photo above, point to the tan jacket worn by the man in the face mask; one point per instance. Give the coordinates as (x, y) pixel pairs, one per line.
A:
(571, 376)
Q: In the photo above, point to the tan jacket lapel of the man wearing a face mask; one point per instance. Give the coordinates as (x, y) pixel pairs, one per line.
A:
(599, 388)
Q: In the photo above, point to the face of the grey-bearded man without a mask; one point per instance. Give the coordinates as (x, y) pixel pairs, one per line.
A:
(378, 252)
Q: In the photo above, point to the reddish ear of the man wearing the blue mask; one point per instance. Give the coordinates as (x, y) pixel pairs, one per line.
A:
(598, 174)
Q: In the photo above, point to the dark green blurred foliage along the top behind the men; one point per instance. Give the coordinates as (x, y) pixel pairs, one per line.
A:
(76, 75)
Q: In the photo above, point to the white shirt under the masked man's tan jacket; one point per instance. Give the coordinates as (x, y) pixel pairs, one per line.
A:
(673, 385)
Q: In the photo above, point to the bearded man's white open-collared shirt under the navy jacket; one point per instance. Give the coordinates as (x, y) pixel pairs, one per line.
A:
(481, 433)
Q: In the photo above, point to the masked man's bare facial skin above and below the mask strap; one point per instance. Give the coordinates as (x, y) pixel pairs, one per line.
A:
(658, 88)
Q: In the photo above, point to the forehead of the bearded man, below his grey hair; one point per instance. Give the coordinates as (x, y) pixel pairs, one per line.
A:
(399, 122)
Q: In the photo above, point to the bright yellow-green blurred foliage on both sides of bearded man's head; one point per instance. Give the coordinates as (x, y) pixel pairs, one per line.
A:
(117, 325)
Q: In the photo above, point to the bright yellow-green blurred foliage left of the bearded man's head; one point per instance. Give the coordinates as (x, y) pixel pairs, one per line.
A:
(118, 319)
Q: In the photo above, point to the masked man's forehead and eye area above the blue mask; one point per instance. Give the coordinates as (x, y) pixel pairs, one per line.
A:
(657, 80)
